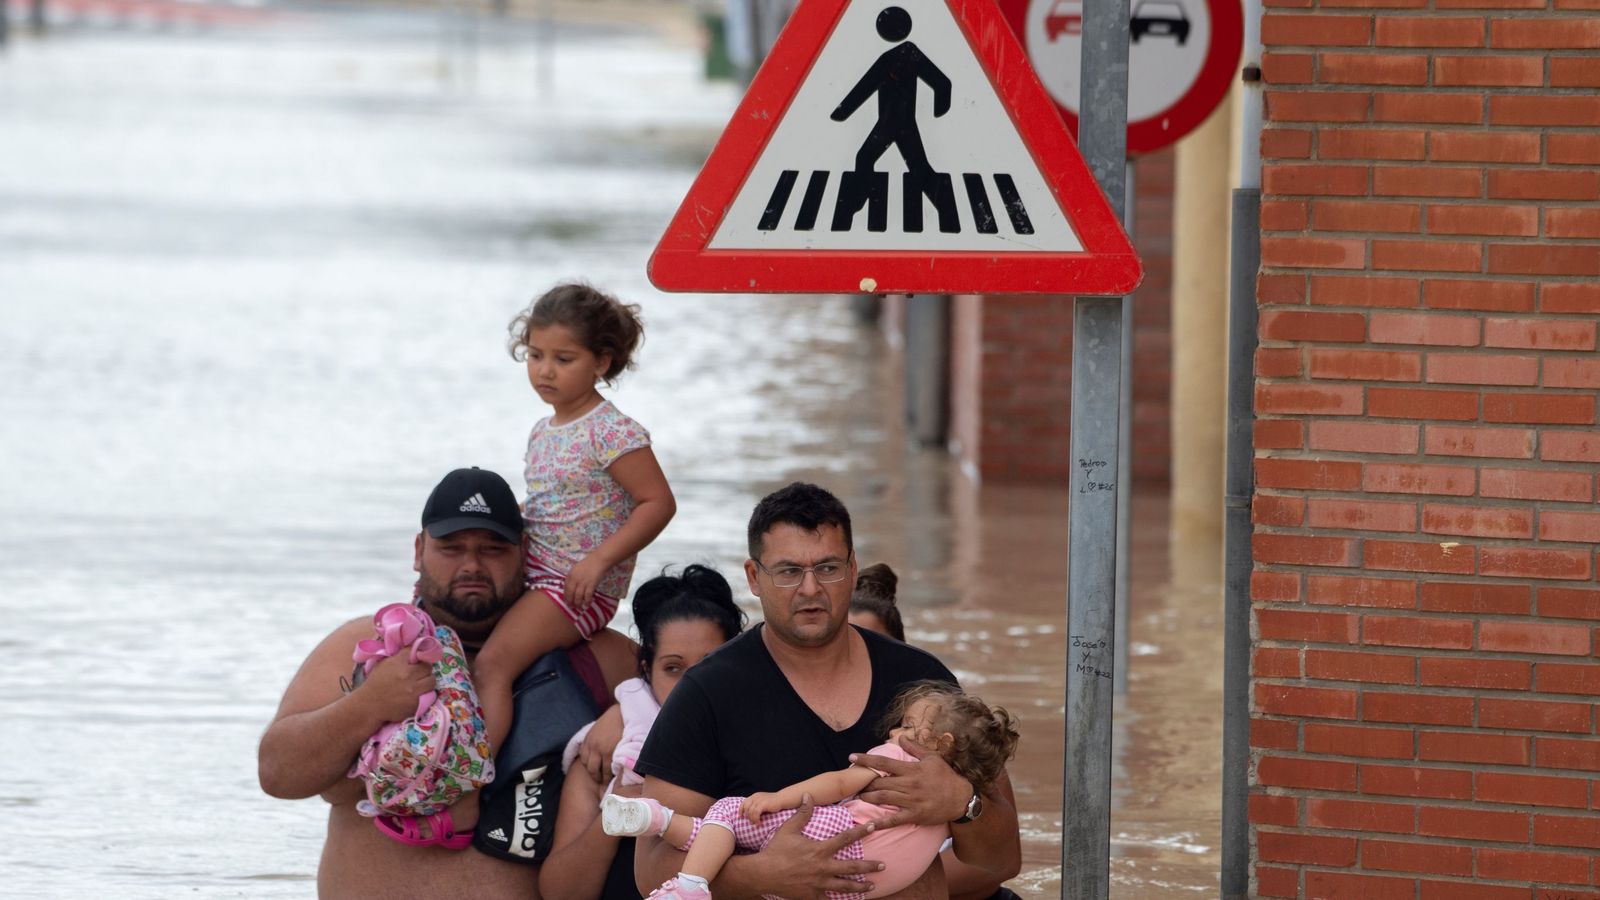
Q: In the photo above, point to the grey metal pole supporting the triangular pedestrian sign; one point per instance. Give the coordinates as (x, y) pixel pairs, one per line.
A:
(1092, 556)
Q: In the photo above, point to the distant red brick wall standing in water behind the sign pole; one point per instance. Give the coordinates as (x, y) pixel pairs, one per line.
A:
(1012, 387)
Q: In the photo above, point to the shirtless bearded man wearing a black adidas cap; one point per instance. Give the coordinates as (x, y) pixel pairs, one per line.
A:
(468, 558)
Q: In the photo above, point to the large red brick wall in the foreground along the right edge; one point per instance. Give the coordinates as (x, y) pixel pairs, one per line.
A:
(1426, 613)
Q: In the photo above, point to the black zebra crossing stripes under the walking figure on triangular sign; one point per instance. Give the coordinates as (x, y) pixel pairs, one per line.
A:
(871, 191)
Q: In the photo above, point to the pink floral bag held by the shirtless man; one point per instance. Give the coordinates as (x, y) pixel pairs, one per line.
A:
(430, 761)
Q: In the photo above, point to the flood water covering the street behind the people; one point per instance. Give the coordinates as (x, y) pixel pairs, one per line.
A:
(254, 294)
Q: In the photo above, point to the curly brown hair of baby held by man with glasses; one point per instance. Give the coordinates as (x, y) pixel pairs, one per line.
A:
(985, 736)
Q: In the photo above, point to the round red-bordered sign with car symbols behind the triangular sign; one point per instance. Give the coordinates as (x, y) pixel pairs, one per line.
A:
(1183, 57)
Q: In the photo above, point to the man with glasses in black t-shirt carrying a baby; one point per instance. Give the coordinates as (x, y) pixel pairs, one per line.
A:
(794, 697)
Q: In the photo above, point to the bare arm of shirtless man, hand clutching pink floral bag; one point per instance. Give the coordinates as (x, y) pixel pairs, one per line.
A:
(319, 729)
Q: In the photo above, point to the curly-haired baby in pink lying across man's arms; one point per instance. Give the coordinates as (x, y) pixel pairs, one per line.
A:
(975, 739)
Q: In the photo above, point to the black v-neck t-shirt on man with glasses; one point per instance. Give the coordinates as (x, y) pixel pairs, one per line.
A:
(735, 726)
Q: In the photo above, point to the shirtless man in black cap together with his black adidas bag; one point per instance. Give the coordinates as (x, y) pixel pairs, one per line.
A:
(468, 558)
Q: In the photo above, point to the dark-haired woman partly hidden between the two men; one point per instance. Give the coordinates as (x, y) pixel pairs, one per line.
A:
(681, 619)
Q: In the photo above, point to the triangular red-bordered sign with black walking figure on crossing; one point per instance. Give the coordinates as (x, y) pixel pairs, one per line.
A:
(897, 147)
